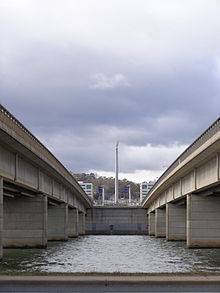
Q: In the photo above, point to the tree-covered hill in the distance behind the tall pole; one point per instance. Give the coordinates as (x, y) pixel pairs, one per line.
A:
(109, 183)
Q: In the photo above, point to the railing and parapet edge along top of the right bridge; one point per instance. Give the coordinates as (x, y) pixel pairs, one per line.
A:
(206, 135)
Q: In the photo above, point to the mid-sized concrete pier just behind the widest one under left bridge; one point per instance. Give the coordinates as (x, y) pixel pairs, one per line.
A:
(58, 222)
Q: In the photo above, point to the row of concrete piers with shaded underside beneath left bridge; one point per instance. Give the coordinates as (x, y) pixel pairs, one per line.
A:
(30, 219)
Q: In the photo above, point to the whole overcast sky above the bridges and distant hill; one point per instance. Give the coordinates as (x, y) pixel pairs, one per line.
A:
(81, 75)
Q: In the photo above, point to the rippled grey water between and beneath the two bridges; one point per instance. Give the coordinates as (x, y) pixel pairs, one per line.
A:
(112, 254)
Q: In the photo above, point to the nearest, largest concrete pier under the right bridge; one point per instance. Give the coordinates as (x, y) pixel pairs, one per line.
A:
(203, 221)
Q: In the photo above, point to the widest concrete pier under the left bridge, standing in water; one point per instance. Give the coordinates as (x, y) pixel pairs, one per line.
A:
(25, 221)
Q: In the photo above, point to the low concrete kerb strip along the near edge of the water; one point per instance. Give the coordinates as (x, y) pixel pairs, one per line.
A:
(110, 278)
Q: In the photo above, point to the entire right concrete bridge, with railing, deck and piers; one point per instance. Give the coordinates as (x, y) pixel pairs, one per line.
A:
(184, 204)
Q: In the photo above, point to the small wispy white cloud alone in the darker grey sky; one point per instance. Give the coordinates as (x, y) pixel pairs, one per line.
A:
(101, 81)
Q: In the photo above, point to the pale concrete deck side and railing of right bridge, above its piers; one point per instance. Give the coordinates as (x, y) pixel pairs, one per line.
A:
(186, 173)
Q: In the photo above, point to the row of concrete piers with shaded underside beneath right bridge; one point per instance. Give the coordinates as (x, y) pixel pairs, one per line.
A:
(195, 218)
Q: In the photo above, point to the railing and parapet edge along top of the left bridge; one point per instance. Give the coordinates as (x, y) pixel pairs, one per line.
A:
(37, 147)
